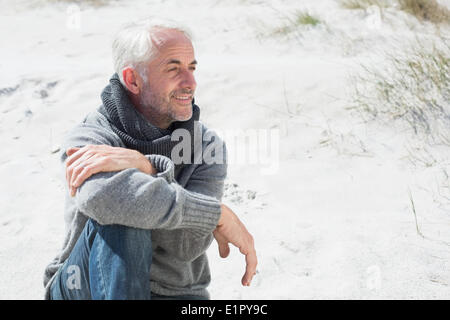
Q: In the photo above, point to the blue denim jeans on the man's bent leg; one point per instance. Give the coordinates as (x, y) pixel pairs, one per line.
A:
(108, 262)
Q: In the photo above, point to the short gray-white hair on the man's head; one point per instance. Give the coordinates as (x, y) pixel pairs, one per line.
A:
(134, 45)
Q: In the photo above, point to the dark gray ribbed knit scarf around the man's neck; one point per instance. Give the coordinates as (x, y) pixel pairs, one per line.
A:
(134, 130)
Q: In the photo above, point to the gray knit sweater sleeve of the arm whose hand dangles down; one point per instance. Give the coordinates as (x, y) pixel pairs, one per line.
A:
(133, 198)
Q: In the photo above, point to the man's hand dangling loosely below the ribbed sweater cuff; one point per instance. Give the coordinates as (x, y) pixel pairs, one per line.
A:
(231, 230)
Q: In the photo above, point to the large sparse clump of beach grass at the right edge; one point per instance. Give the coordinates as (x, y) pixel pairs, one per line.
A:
(414, 87)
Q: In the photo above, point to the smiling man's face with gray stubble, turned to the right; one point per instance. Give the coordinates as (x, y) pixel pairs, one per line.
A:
(170, 84)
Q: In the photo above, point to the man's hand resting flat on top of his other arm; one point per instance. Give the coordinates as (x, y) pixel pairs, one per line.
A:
(91, 159)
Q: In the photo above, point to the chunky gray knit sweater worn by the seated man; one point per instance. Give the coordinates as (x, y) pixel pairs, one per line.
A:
(182, 209)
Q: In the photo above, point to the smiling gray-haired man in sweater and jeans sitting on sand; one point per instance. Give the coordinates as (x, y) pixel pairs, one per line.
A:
(138, 221)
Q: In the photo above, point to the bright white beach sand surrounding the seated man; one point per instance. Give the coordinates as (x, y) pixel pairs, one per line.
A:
(335, 220)
